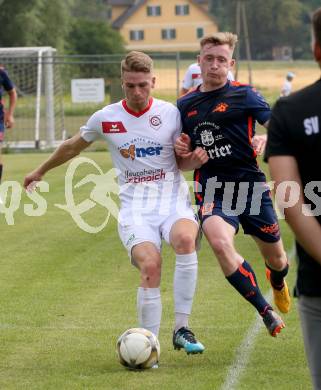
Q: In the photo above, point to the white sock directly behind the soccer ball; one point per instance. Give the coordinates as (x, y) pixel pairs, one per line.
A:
(149, 308)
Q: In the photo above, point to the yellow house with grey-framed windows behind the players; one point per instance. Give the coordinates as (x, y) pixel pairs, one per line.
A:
(162, 25)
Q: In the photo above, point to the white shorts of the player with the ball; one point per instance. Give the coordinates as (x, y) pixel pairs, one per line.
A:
(153, 229)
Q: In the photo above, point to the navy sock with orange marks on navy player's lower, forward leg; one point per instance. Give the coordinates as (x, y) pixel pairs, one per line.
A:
(244, 281)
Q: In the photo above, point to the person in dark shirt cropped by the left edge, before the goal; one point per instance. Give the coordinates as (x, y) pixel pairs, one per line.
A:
(6, 116)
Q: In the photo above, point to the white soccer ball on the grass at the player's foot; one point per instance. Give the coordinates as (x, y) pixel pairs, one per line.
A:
(138, 348)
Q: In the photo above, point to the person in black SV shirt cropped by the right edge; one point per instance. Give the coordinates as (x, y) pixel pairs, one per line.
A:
(293, 153)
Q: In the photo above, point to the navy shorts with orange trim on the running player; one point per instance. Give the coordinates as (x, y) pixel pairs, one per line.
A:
(253, 211)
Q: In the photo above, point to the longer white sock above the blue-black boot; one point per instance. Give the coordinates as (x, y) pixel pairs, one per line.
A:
(185, 278)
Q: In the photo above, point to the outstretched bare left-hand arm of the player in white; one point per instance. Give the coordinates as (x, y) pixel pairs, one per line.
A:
(65, 152)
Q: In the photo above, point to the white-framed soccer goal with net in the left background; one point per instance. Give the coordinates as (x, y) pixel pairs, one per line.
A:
(39, 115)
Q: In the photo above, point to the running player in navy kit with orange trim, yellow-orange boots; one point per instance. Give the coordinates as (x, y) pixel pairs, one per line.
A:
(217, 142)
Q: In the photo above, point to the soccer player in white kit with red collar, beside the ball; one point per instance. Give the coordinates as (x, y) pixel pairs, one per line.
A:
(140, 132)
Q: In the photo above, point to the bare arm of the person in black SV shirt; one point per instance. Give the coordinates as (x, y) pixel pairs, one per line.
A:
(306, 228)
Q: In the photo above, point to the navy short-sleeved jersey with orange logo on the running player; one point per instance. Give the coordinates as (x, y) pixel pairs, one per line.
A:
(223, 123)
